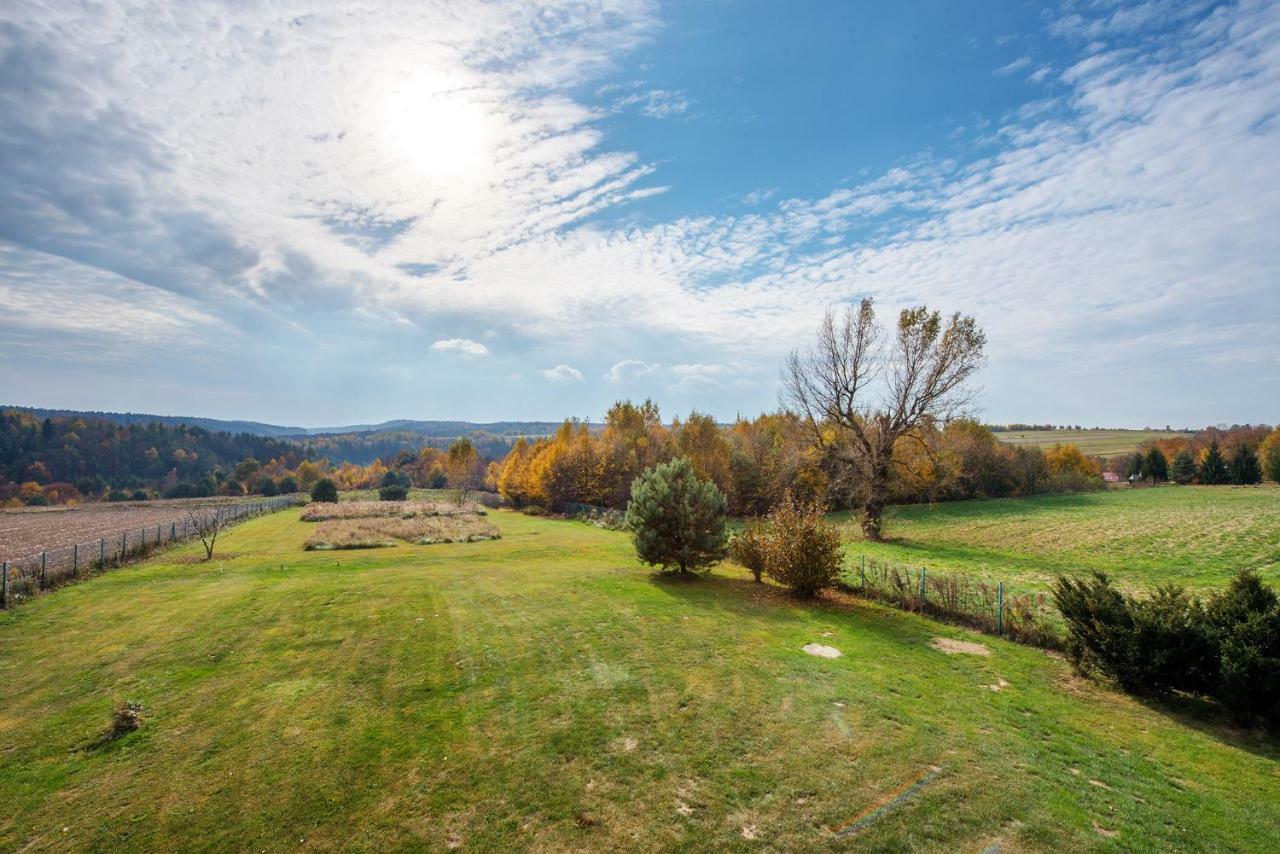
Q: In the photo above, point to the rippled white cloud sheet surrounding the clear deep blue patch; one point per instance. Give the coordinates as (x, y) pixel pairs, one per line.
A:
(172, 162)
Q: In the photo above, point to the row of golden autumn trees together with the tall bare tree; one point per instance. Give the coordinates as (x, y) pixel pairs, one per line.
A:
(872, 422)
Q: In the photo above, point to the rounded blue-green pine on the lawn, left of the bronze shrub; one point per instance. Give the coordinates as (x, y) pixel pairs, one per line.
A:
(676, 520)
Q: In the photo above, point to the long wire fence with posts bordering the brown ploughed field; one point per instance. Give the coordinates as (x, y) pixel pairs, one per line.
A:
(24, 578)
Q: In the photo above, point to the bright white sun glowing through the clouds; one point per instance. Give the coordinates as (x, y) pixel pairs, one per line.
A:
(444, 131)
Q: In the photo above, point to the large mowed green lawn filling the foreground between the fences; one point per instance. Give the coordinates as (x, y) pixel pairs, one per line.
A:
(546, 692)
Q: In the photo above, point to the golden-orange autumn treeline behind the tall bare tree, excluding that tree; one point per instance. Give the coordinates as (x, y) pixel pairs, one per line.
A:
(756, 463)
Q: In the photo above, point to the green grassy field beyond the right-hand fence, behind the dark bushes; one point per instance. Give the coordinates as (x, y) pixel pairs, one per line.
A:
(1191, 536)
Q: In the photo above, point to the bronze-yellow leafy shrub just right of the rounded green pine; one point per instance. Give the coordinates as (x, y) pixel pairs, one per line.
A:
(802, 549)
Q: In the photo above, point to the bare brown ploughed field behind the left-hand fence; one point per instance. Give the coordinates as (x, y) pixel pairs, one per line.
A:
(29, 532)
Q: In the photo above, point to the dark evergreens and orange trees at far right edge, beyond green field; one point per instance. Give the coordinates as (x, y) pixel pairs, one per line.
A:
(1240, 455)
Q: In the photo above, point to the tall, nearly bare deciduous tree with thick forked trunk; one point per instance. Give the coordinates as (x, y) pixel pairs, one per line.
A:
(860, 394)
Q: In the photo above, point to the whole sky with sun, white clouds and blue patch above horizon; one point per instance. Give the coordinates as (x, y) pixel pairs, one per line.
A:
(330, 213)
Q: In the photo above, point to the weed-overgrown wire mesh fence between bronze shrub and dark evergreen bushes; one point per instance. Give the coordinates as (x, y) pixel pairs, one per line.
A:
(988, 606)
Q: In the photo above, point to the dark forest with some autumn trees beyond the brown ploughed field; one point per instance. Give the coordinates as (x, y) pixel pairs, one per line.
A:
(68, 459)
